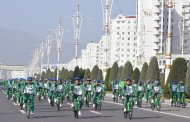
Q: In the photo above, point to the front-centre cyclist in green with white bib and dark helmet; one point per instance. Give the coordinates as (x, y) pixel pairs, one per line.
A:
(77, 93)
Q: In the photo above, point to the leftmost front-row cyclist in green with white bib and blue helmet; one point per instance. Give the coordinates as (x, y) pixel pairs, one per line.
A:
(29, 92)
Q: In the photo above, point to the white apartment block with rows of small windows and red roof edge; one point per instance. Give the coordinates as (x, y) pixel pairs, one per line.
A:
(123, 40)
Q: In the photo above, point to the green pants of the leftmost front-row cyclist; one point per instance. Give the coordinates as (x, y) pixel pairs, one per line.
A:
(31, 98)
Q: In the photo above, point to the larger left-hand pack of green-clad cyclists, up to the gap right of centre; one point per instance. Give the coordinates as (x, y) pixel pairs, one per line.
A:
(76, 91)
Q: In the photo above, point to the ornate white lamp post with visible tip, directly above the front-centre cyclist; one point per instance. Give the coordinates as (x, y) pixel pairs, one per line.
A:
(77, 23)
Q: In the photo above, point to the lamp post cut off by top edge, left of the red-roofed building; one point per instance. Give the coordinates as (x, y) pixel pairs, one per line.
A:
(106, 10)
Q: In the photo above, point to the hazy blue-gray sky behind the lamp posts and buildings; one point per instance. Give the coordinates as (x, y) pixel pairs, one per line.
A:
(24, 23)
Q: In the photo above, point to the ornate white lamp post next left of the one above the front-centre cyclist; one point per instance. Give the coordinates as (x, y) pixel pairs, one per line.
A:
(59, 35)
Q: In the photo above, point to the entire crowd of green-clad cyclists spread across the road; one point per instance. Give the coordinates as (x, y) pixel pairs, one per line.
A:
(78, 92)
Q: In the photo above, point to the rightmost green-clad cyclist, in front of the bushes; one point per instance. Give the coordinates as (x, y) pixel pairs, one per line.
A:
(181, 91)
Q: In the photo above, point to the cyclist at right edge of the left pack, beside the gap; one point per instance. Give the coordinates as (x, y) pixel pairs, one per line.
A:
(98, 90)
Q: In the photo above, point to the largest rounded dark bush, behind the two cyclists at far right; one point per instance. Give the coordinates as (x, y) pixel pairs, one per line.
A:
(177, 72)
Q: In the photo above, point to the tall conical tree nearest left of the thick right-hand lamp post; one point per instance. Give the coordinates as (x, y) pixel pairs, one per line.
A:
(153, 72)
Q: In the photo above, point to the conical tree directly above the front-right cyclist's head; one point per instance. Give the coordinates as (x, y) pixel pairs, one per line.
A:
(127, 71)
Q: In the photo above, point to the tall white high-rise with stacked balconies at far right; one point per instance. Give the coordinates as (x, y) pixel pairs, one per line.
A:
(152, 17)
